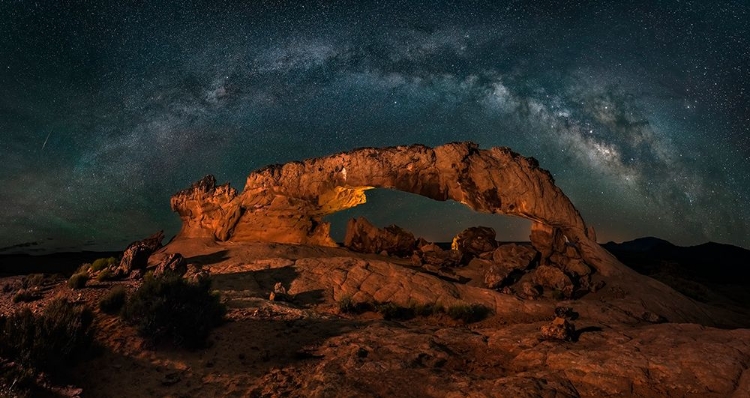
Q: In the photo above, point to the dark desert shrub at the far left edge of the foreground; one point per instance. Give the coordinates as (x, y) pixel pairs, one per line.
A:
(56, 338)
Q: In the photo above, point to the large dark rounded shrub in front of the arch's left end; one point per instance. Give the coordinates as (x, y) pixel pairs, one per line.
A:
(171, 308)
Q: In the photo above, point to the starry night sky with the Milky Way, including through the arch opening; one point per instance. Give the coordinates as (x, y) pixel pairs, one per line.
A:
(641, 110)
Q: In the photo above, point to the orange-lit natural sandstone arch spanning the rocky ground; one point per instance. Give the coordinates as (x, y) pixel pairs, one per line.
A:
(286, 203)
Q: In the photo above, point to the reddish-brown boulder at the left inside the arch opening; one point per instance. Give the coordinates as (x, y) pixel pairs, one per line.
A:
(363, 237)
